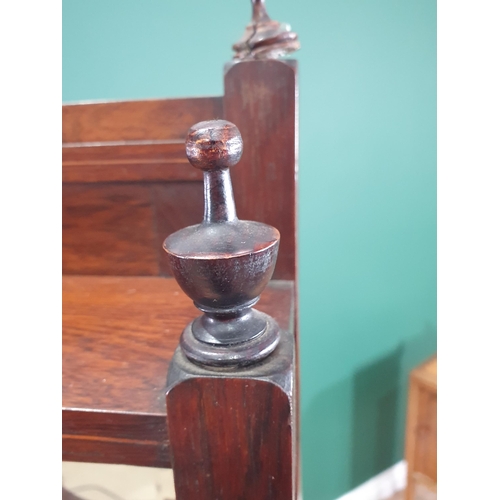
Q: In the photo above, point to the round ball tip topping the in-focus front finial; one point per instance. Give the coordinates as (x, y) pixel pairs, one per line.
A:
(214, 145)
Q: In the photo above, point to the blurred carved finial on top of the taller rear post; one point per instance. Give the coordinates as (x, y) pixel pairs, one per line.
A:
(265, 38)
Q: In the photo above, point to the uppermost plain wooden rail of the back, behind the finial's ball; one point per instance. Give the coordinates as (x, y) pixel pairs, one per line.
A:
(156, 119)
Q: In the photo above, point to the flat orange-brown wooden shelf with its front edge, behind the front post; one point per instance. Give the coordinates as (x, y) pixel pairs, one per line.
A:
(119, 335)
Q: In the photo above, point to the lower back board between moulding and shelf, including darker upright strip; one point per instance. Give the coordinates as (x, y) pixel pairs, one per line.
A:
(118, 228)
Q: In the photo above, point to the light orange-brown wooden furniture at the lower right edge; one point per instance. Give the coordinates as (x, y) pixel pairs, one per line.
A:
(421, 432)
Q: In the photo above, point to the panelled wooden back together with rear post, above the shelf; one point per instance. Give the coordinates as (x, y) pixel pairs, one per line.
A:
(128, 185)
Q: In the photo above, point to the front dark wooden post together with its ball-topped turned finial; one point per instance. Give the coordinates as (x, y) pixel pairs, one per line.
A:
(230, 385)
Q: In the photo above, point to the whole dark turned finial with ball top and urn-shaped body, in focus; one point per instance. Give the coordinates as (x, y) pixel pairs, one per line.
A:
(223, 264)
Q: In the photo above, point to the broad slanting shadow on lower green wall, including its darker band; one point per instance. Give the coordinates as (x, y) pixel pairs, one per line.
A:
(372, 406)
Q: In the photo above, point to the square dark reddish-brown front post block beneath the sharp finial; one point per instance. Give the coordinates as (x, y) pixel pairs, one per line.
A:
(232, 435)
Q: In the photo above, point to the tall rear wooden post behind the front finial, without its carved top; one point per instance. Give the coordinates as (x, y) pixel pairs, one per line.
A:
(260, 98)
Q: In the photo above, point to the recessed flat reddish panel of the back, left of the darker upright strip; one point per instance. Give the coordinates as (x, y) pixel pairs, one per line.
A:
(108, 229)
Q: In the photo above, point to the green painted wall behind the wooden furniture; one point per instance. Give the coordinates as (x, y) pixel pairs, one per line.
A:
(367, 190)
